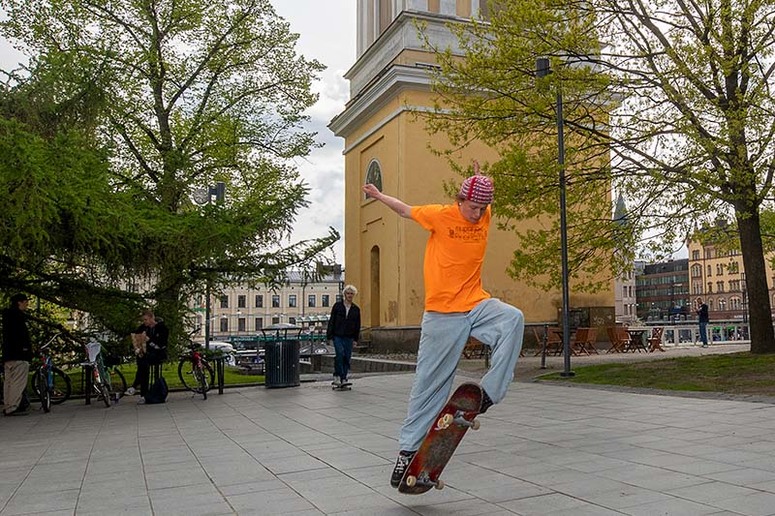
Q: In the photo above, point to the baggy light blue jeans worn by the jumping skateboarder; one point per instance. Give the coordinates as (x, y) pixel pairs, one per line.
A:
(443, 336)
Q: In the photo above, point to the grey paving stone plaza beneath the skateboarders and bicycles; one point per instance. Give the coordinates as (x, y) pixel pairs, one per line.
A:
(547, 449)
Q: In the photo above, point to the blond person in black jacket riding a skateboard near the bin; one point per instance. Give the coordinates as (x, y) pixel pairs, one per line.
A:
(344, 328)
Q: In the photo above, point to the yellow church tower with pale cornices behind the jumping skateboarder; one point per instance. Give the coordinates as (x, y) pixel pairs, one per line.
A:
(387, 144)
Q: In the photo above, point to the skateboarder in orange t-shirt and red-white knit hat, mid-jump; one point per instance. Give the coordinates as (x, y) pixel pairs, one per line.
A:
(456, 308)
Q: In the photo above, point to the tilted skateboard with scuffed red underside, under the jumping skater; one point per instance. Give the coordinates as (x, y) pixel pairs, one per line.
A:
(442, 439)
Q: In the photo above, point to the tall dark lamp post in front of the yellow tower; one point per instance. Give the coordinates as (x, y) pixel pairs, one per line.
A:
(542, 70)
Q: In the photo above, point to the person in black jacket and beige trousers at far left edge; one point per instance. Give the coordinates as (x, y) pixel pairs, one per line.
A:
(17, 354)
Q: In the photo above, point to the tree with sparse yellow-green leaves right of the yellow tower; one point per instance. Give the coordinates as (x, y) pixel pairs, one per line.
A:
(666, 102)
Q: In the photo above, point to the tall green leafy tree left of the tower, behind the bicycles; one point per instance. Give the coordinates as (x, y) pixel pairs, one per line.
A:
(190, 93)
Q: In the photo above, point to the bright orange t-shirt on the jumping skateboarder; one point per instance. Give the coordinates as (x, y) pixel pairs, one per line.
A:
(453, 258)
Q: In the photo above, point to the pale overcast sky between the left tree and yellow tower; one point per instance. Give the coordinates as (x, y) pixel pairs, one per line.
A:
(327, 33)
